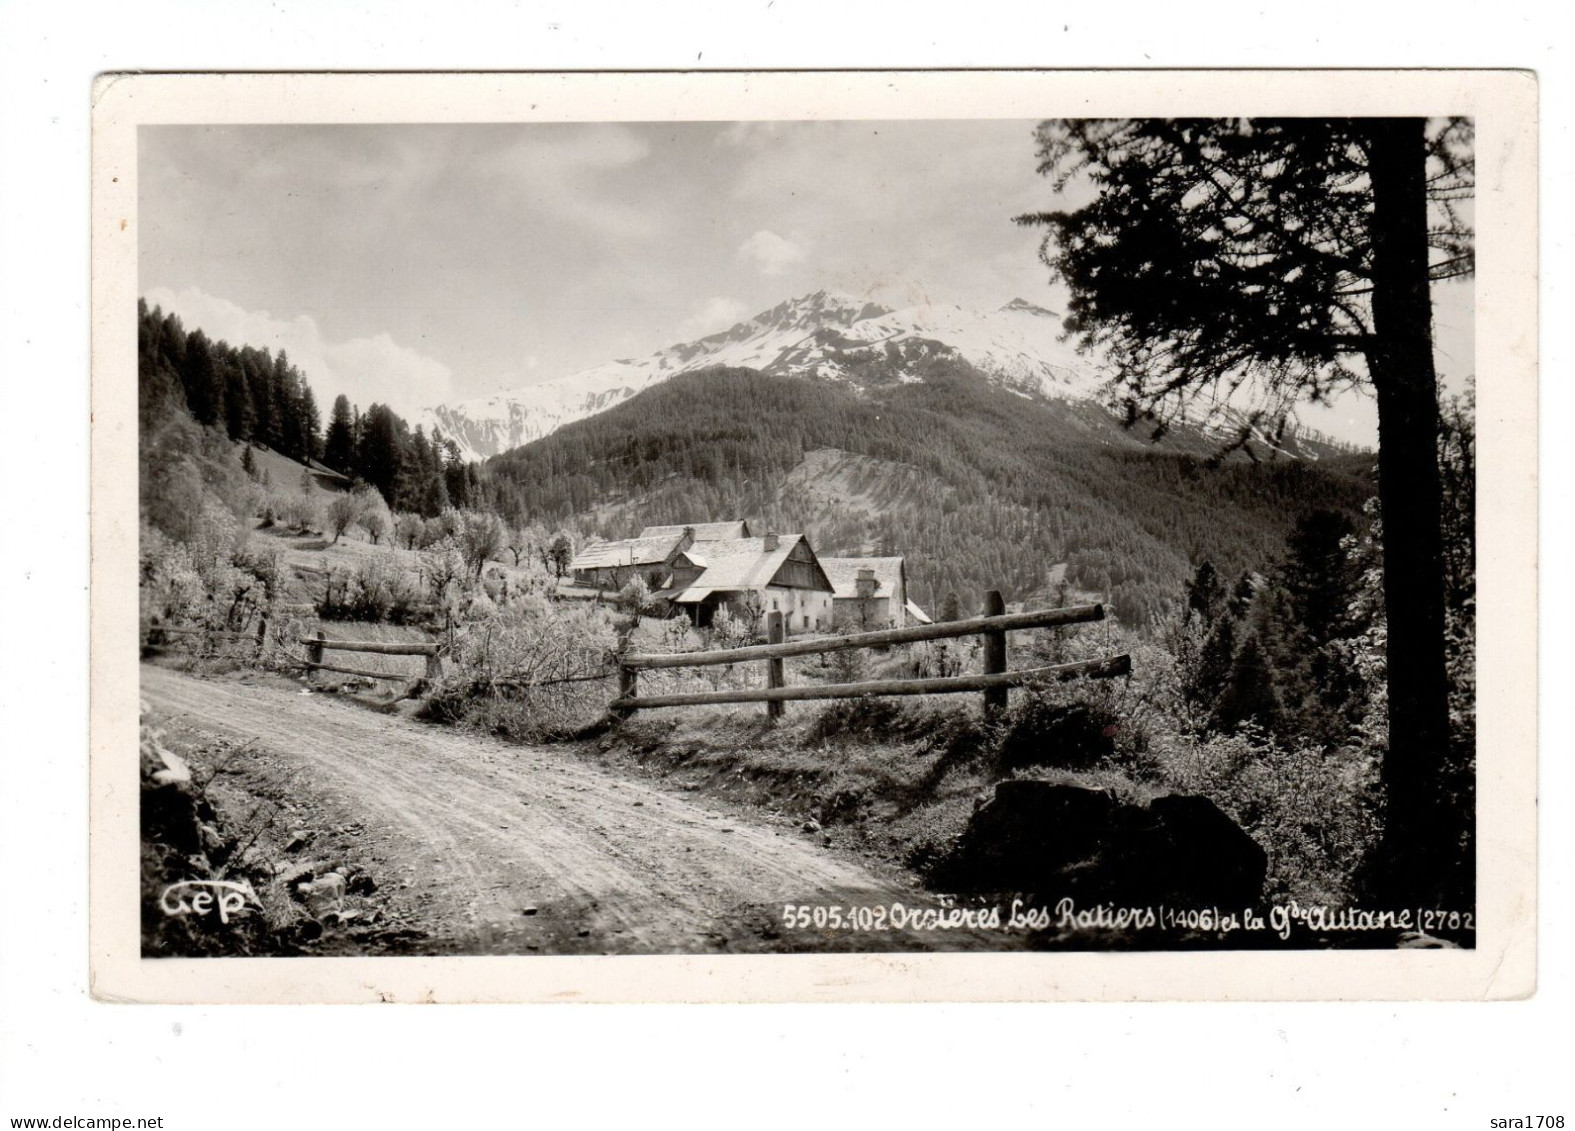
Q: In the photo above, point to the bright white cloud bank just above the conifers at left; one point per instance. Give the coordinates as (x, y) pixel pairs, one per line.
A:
(365, 369)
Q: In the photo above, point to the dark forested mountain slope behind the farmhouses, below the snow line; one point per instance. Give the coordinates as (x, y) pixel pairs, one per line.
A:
(1006, 488)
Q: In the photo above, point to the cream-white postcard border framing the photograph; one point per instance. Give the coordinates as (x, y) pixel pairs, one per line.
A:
(1503, 965)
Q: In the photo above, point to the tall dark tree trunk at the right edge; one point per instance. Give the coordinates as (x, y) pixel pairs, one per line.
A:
(1420, 847)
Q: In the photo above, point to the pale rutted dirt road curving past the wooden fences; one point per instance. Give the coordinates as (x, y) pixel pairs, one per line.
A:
(473, 834)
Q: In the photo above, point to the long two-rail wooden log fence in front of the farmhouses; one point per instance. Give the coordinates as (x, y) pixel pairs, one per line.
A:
(995, 681)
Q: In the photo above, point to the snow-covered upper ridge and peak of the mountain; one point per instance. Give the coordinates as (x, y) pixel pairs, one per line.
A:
(826, 335)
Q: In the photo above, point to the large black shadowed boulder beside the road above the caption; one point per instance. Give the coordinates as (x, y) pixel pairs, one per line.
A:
(1061, 840)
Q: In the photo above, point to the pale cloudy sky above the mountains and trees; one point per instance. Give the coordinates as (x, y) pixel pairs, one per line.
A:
(418, 265)
